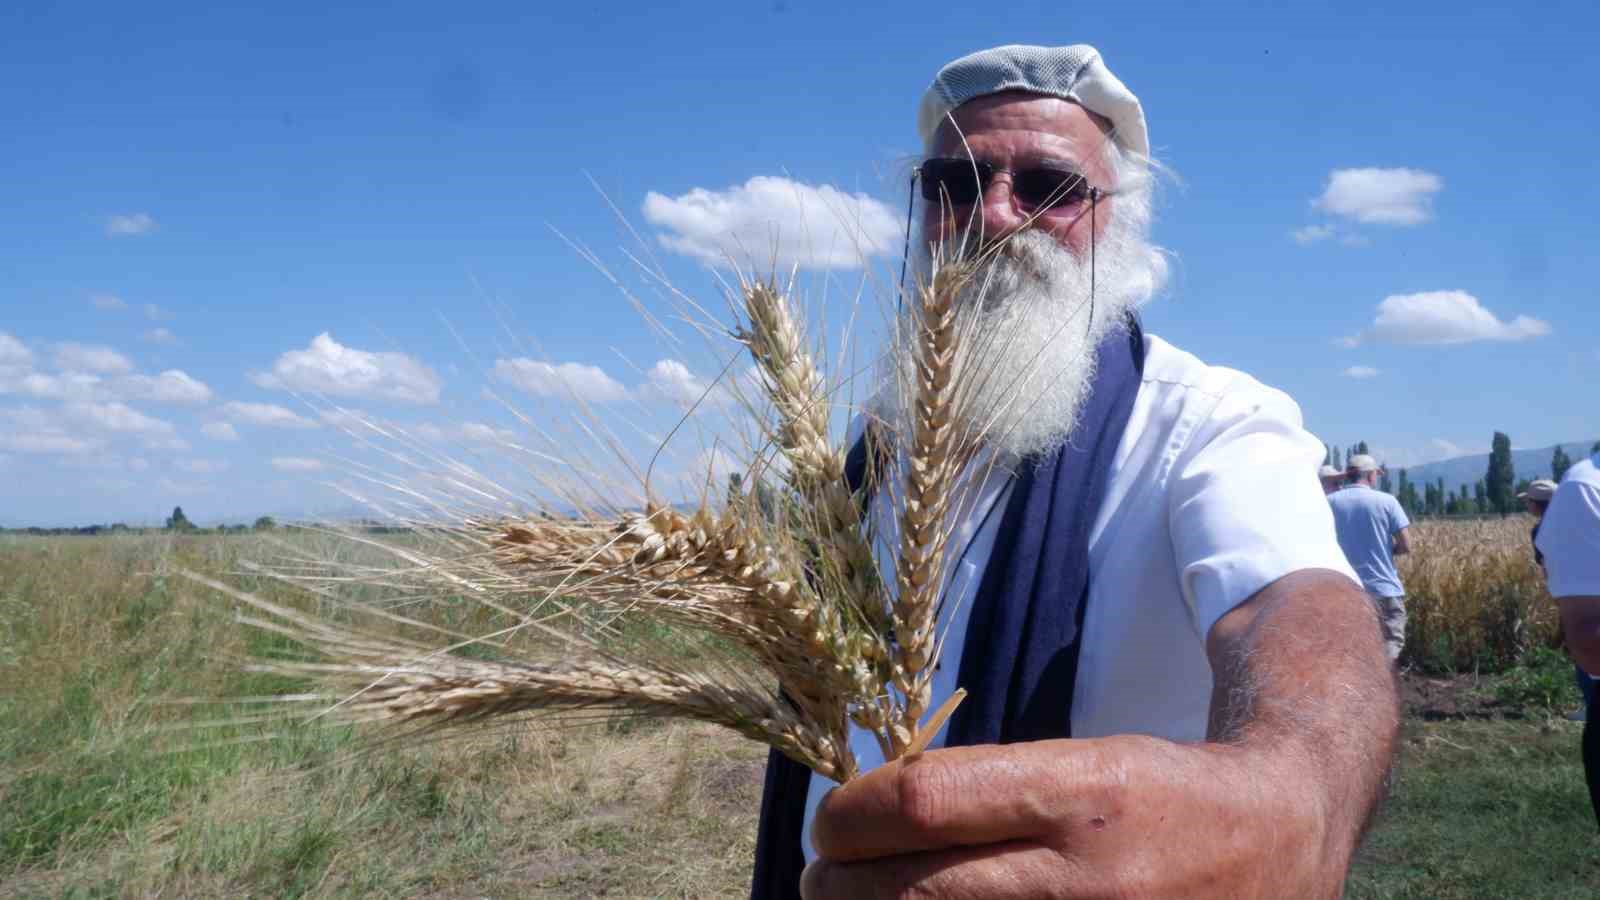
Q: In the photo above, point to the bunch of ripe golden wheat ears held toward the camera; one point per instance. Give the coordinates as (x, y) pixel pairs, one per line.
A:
(791, 633)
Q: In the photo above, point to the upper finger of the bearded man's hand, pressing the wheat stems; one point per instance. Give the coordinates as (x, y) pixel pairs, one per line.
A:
(964, 797)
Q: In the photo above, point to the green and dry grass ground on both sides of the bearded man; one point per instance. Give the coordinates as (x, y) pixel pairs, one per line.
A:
(108, 789)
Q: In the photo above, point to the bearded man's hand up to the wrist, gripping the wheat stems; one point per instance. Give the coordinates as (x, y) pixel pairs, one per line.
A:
(1111, 818)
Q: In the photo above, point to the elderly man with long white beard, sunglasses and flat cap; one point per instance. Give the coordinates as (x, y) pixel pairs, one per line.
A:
(1150, 574)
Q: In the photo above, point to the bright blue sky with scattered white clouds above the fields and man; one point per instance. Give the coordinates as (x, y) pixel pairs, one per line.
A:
(194, 196)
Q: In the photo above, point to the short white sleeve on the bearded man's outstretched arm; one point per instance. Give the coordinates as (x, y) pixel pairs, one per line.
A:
(1242, 510)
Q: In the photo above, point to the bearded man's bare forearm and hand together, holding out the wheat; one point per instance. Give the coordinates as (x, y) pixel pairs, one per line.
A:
(1303, 729)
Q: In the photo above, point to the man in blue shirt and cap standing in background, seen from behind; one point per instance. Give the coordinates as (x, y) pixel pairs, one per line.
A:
(1374, 529)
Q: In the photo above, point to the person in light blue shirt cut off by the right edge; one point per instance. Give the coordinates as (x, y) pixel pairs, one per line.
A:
(1570, 544)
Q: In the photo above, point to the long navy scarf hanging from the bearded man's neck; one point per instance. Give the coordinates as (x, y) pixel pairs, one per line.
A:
(1022, 654)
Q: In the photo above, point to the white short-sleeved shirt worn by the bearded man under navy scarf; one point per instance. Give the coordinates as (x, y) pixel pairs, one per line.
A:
(1212, 497)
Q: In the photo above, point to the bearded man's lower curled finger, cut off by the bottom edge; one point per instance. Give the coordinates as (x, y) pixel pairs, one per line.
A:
(993, 872)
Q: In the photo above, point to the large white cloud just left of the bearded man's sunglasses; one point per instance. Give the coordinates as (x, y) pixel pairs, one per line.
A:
(775, 222)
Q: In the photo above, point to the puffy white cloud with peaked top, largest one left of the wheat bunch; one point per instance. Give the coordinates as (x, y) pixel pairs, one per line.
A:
(330, 368)
